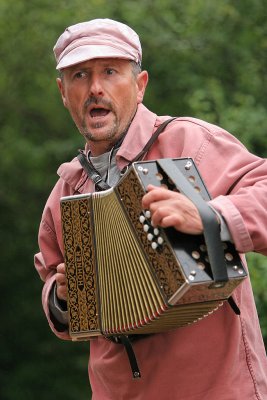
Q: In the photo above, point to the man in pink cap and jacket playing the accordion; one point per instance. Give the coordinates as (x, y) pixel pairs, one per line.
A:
(221, 357)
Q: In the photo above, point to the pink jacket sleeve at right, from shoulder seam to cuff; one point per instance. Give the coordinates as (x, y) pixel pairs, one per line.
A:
(238, 182)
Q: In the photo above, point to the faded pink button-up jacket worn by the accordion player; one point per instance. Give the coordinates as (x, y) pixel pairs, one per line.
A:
(222, 357)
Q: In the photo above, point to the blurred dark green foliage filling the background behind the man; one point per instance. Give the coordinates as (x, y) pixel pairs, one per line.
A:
(206, 59)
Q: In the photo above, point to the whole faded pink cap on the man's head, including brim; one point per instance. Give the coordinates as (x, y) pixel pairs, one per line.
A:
(99, 38)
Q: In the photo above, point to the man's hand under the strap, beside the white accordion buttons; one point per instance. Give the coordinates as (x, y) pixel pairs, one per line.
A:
(169, 208)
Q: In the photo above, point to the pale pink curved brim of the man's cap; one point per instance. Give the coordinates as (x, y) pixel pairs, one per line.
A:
(89, 52)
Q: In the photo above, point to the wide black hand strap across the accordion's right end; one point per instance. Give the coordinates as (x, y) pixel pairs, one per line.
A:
(209, 220)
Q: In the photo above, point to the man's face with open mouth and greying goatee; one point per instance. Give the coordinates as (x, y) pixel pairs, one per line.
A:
(102, 96)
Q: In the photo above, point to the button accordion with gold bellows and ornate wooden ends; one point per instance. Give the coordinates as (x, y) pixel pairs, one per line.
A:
(127, 277)
